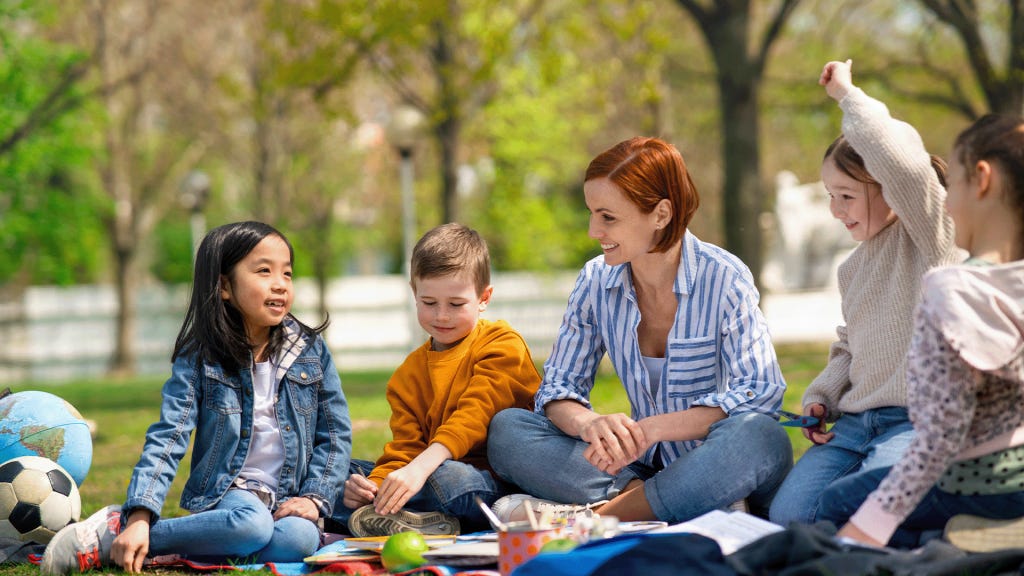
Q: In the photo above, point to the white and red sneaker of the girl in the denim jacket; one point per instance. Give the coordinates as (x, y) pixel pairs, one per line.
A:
(83, 546)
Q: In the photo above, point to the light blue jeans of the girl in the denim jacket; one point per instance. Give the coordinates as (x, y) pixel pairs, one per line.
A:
(239, 528)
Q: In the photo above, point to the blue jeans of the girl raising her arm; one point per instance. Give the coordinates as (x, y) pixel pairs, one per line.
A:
(864, 442)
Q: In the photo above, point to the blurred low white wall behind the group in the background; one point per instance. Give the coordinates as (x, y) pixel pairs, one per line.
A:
(54, 335)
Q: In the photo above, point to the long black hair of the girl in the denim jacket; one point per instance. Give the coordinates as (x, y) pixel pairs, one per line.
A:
(214, 330)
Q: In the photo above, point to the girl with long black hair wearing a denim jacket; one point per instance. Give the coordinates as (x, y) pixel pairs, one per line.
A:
(273, 433)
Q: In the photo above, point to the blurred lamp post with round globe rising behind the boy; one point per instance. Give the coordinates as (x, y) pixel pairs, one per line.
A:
(404, 131)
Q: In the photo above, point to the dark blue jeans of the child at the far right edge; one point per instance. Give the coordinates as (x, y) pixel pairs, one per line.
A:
(843, 499)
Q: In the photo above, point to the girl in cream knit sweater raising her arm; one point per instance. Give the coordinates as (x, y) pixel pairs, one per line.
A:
(888, 192)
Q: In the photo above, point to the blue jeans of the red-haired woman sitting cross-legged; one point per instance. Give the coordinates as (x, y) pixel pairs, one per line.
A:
(746, 456)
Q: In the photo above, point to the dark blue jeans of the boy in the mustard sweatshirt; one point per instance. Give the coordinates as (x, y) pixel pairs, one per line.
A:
(452, 489)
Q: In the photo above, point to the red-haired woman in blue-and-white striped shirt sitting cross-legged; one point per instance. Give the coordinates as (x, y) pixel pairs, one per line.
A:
(679, 321)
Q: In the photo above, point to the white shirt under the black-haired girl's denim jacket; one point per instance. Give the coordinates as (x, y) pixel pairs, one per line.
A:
(267, 450)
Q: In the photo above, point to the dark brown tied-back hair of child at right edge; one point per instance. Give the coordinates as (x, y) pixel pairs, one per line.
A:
(998, 139)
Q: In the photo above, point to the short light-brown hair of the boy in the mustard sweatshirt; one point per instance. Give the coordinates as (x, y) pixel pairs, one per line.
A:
(453, 250)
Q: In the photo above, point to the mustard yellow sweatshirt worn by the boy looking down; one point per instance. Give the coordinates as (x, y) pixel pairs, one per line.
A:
(450, 397)
